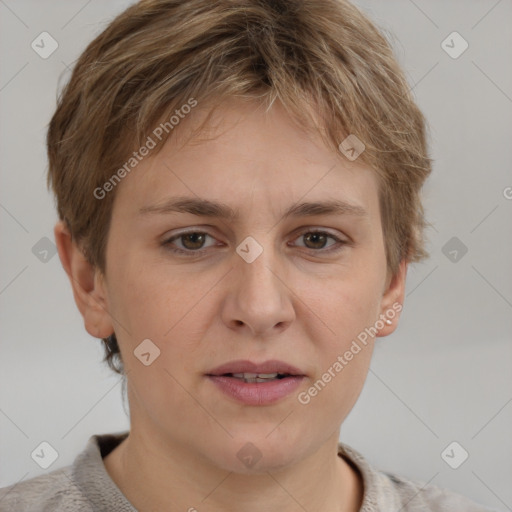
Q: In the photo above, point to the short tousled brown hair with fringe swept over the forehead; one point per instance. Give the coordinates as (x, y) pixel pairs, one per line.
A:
(323, 60)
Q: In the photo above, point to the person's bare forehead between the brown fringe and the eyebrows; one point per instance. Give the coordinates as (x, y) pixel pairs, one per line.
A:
(247, 157)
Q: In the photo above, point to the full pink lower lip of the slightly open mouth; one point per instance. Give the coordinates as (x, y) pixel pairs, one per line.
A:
(256, 393)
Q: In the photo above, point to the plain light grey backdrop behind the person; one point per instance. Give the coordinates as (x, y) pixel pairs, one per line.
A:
(443, 376)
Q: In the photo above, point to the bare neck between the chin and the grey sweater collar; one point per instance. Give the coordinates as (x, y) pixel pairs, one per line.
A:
(174, 479)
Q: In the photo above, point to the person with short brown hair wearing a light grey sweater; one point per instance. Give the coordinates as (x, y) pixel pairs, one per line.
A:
(238, 186)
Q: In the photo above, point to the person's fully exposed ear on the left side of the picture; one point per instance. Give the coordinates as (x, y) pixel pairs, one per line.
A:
(87, 282)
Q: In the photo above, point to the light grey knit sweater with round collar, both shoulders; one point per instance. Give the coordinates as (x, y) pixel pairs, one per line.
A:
(85, 486)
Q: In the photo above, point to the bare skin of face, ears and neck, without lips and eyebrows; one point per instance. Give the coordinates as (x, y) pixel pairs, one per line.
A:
(296, 302)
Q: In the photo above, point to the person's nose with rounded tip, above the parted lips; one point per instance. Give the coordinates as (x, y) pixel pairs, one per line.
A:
(258, 299)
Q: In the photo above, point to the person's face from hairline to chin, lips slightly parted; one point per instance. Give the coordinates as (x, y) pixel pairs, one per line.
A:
(298, 292)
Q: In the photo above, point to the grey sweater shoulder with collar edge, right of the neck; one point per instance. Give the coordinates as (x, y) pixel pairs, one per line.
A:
(385, 492)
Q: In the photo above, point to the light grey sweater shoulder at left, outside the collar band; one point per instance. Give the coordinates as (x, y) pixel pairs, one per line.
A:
(54, 491)
